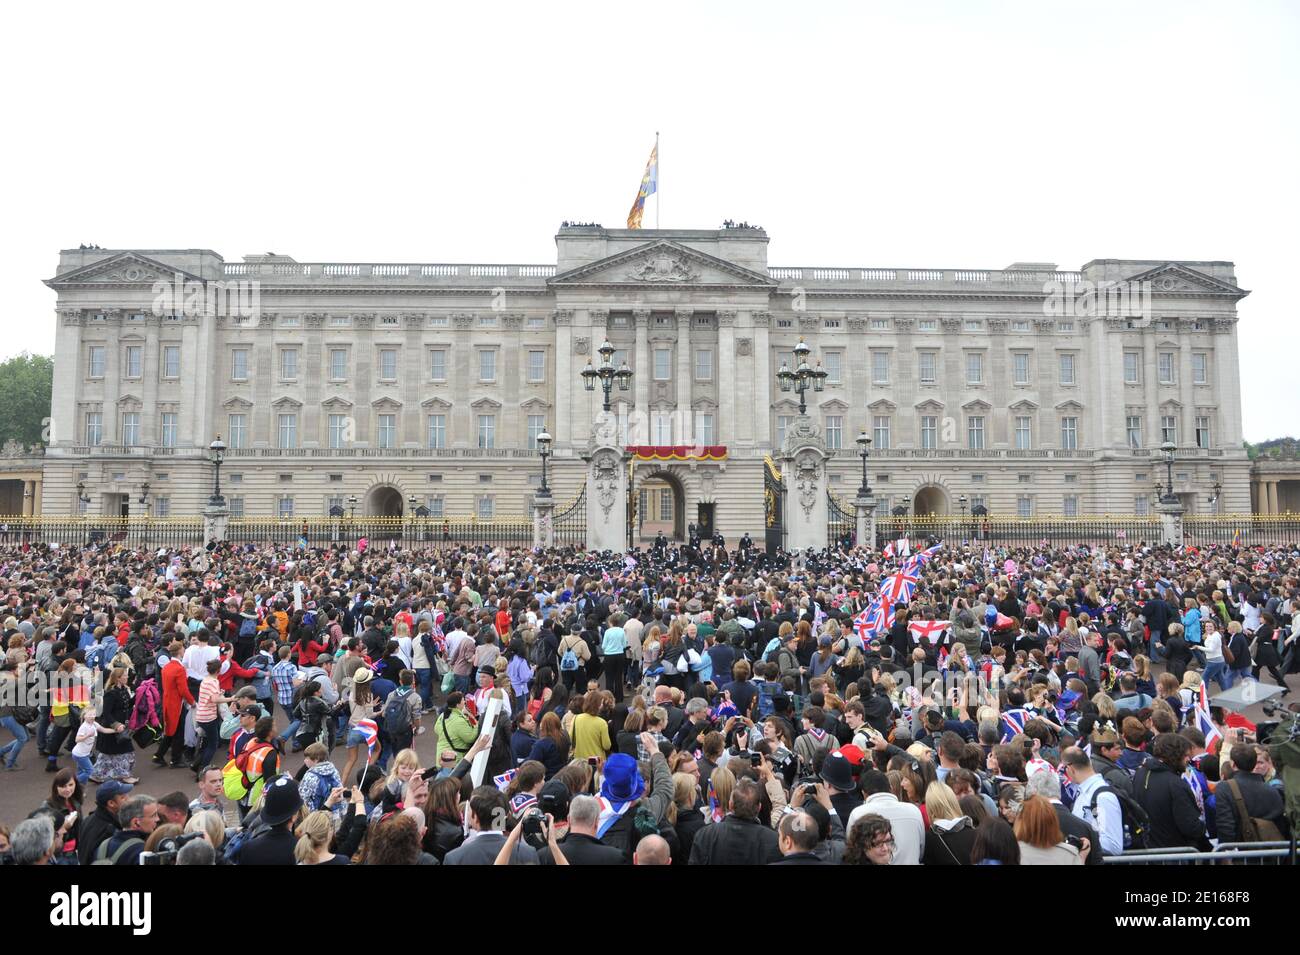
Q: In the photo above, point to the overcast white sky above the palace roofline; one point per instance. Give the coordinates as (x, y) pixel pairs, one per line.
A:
(913, 134)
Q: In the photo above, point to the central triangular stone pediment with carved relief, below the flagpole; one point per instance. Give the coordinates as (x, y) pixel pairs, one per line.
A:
(664, 264)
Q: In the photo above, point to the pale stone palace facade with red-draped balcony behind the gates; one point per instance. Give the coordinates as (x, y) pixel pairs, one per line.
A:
(431, 383)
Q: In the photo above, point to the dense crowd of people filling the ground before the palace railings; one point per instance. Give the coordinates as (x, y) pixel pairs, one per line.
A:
(937, 705)
